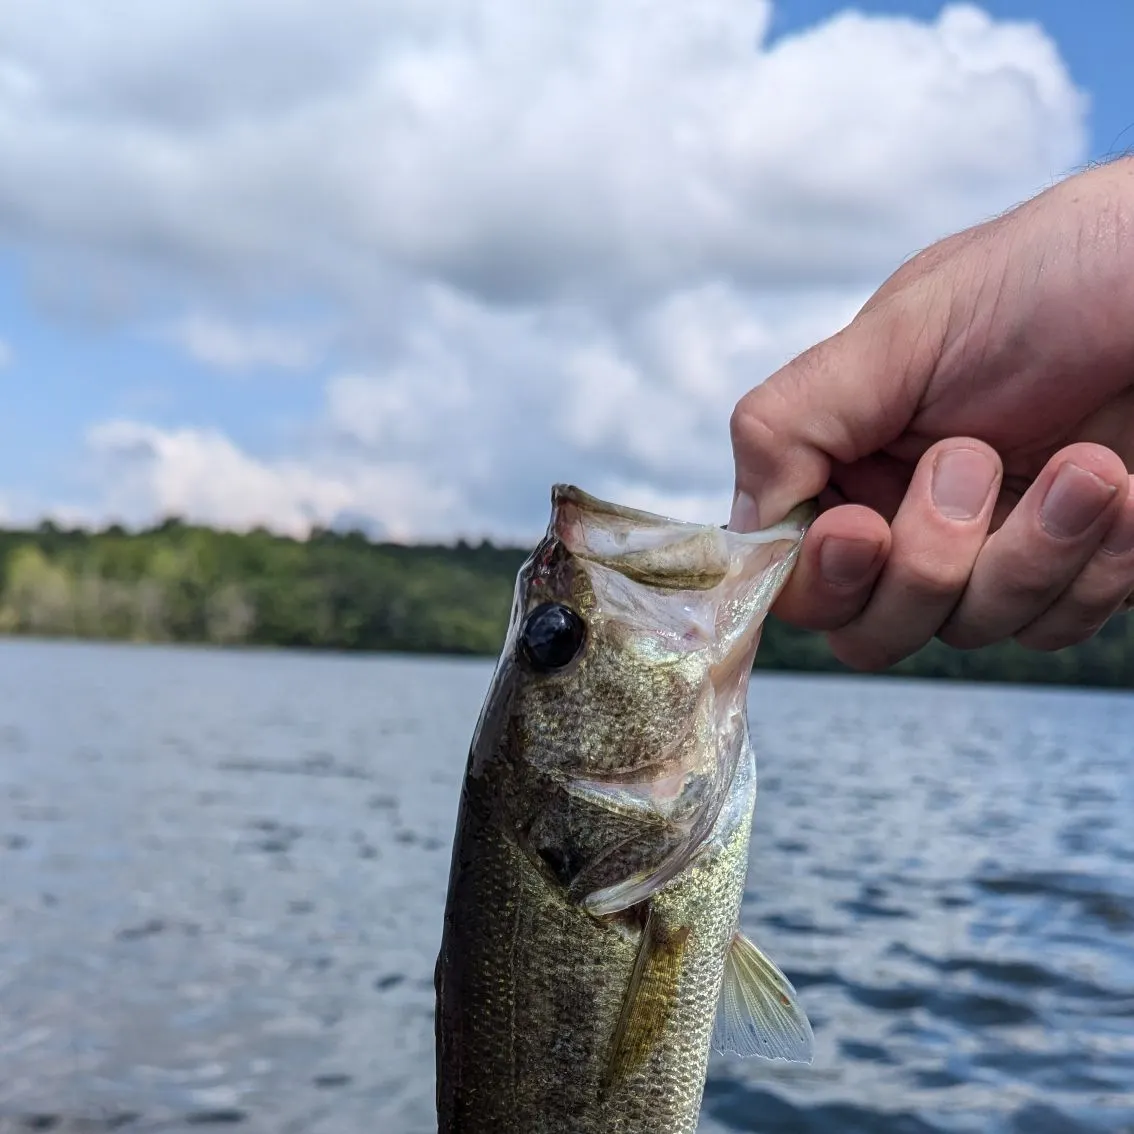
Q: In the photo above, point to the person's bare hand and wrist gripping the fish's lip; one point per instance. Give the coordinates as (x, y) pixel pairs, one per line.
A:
(970, 436)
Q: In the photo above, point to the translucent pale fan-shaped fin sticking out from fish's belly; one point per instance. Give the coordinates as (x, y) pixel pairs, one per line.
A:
(758, 1014)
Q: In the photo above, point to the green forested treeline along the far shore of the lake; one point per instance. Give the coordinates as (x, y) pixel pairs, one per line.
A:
(183, 583)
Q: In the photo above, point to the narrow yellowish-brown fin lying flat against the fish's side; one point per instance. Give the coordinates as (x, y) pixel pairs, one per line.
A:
(650, 998)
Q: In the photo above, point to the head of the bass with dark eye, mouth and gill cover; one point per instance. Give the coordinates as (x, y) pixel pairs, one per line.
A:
(625, 680)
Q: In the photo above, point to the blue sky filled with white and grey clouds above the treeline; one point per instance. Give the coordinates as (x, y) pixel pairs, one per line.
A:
(402, 265)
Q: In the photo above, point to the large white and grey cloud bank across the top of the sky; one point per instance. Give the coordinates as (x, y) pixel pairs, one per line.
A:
(517, 150)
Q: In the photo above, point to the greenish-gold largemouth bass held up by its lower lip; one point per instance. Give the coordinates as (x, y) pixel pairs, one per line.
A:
(591, 952)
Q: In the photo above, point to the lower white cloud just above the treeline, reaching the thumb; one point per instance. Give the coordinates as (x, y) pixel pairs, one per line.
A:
(480, 411)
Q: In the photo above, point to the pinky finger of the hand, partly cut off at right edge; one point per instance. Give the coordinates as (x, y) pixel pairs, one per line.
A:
(1101, 589)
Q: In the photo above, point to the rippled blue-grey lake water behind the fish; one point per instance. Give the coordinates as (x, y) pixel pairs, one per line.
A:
(223, 874)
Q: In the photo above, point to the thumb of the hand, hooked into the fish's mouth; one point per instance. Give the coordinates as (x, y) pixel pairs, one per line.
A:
(839, 402)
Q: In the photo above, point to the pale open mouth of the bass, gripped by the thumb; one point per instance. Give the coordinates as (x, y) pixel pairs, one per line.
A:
(658, 551)
